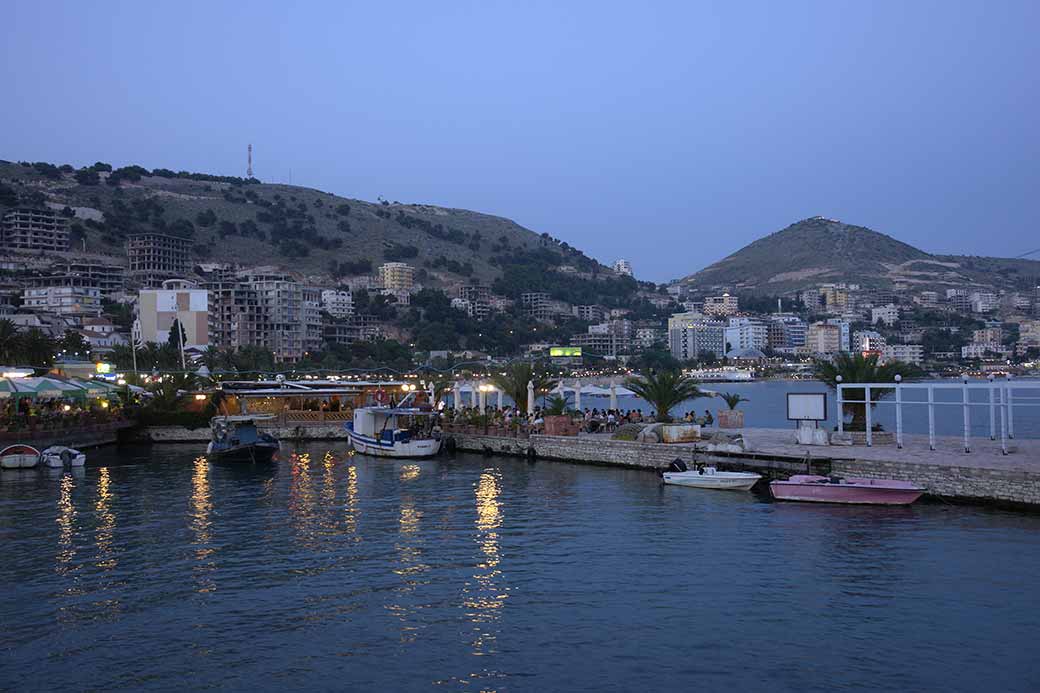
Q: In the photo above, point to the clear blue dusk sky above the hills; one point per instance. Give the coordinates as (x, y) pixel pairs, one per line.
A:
(667, 134)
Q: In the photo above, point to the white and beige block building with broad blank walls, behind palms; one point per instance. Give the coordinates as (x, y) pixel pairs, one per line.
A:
(159, 309)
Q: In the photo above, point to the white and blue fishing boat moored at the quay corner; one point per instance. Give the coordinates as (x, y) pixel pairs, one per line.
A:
(402, 431)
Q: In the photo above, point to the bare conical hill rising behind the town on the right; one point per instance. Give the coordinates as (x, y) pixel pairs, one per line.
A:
(819, 250)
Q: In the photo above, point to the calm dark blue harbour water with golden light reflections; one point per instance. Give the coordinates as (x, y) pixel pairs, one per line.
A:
(154, 570)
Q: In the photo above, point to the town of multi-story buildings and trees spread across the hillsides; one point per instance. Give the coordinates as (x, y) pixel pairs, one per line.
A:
(89, 305)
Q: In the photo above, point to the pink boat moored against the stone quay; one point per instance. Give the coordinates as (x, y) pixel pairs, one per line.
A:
(851, 491)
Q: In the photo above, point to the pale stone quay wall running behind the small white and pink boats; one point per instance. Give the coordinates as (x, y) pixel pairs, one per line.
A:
(966, 484)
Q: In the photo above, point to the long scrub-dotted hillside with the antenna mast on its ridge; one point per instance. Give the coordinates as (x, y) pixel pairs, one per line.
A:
(316, 235)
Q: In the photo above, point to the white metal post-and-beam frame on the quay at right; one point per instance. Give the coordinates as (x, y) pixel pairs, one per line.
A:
(1004, 397)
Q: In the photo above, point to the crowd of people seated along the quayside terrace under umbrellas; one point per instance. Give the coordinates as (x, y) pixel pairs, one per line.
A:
(592, 421)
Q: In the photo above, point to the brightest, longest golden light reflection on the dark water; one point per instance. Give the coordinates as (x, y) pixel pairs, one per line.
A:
(486, 596)
